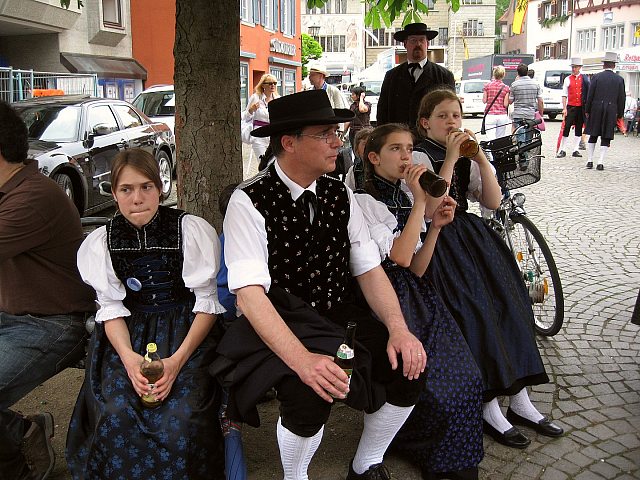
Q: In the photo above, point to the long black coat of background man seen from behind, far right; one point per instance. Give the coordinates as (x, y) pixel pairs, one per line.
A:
(605, 103)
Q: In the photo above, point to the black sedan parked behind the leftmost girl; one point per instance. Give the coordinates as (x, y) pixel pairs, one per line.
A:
(74, 139)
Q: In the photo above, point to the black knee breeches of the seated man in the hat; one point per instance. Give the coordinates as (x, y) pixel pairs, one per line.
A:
(303, 412)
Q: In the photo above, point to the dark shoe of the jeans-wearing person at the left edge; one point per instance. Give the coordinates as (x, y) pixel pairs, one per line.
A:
(37, 448)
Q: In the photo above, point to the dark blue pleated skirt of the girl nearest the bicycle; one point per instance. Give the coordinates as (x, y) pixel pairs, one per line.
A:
(477, 277)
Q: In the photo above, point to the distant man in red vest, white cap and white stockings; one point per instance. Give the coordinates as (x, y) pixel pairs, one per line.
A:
(574, 95)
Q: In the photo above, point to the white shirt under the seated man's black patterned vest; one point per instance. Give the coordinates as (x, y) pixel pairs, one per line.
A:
(245, 248)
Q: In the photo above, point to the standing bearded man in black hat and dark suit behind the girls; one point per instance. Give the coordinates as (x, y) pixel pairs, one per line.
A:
(405, 85)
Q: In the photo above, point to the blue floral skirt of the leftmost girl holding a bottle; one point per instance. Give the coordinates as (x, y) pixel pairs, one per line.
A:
(112, 436)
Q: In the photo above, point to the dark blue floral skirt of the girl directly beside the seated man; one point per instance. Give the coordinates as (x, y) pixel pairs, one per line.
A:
(444, 431)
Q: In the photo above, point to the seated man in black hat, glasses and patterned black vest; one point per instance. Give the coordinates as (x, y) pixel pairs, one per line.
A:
(295, 240)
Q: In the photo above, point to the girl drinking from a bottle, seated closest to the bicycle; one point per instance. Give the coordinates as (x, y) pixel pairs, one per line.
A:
(478, 277)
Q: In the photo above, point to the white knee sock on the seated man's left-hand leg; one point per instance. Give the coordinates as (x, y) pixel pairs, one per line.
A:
(296, 452)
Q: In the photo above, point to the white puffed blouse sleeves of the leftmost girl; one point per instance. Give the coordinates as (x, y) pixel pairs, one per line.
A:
(201, 250)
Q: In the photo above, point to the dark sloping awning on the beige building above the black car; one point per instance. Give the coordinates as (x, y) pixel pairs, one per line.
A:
(105, 67)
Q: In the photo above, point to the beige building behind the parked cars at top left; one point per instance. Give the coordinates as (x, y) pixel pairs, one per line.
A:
(95, 39)
